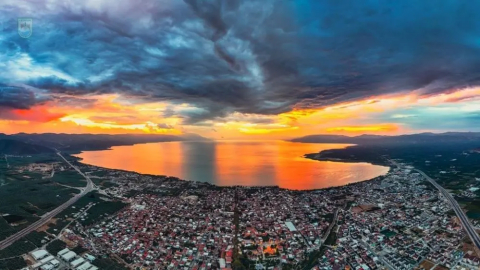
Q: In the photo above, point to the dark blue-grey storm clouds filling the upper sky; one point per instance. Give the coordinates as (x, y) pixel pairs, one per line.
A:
(260, 56)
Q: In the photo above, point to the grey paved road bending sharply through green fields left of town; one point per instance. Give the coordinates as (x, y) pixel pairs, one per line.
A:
(45, 218)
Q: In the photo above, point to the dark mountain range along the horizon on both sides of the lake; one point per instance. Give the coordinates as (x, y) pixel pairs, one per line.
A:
(23, 143)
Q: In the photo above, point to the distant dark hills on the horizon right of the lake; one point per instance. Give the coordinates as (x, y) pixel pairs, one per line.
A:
(421, 138)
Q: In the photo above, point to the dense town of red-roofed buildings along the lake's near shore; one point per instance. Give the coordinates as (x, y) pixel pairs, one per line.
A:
(396, 221)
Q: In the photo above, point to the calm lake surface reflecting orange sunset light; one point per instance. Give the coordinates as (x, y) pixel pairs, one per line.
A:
(226, 163)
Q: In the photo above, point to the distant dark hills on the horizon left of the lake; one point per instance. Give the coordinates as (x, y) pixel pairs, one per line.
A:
(80, 142)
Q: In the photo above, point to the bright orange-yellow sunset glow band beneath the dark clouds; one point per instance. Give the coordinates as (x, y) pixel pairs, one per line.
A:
(113, 114)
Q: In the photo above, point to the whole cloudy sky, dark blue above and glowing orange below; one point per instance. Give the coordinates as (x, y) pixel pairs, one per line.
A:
(240, 69)
